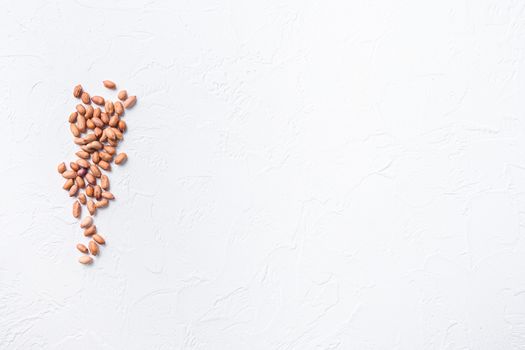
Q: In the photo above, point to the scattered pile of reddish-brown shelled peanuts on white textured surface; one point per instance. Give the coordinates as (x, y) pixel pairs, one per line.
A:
(98, 133)
